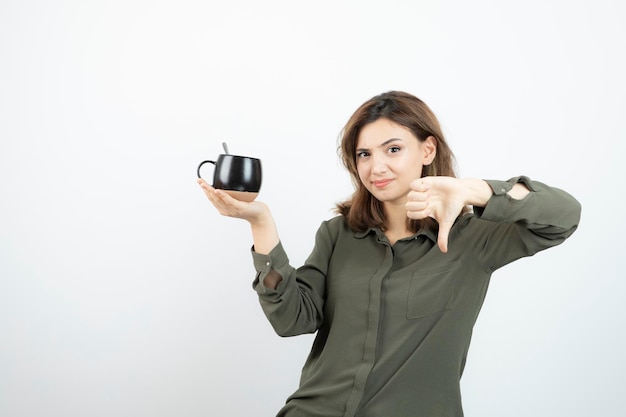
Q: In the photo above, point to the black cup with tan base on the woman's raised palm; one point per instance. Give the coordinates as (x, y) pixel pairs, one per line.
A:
(239, 176)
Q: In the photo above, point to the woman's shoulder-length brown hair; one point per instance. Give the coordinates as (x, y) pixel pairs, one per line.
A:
(363, 211)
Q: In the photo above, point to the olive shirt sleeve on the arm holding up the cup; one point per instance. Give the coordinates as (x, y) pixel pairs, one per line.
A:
(296, 305)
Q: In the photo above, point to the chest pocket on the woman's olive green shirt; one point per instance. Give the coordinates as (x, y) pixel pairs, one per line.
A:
(431, 291)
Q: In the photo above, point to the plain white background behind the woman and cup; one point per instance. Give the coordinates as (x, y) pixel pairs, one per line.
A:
(123, 292)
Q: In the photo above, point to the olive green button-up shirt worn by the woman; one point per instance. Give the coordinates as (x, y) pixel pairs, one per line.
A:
(394, 323)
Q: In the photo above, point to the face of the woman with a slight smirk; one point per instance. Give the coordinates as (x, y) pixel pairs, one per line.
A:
(388, 157)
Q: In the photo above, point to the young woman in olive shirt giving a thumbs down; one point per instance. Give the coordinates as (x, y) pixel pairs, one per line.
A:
(395, 282)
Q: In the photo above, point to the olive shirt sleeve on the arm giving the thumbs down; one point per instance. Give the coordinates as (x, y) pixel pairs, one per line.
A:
(517, 228)
